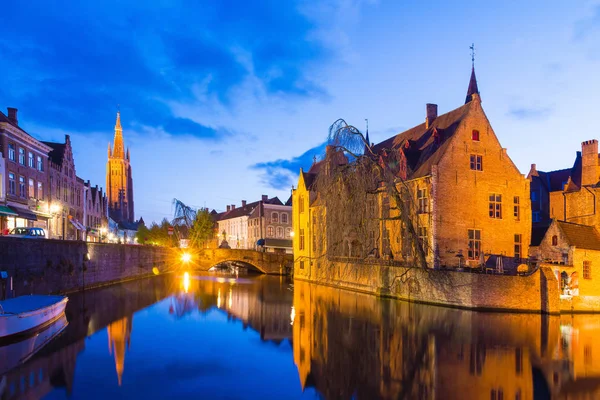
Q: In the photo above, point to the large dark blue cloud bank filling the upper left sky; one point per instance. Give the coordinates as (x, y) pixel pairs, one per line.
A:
(145, 57)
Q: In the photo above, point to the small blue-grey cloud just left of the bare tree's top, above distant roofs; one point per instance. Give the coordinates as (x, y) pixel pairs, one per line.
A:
(281, 174)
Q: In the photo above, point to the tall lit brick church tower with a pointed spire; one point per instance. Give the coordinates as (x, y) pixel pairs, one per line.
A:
(119, 183)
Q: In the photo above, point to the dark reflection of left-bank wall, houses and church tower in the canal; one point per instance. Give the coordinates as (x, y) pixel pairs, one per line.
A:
(54, 365)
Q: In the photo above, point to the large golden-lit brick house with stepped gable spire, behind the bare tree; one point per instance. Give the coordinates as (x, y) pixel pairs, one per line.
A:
(471, 199)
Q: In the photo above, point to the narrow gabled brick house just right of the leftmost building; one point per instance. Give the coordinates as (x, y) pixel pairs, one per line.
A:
(66, 192)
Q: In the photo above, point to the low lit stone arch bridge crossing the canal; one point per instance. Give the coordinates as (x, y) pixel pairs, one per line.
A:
(267, 263)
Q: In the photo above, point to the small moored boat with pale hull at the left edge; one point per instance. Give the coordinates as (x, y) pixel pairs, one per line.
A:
(25, 314)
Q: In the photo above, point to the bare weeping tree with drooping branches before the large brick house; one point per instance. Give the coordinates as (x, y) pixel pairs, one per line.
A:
(367, 202)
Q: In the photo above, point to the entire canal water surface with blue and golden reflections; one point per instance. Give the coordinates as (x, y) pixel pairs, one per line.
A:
(261, 337)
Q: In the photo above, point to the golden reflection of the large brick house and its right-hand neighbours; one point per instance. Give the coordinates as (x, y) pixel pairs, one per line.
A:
(348, 345)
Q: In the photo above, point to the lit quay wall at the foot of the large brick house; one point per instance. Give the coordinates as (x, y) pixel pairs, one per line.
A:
(537, 292)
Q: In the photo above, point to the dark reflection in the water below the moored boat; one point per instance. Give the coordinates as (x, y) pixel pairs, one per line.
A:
(18, 352)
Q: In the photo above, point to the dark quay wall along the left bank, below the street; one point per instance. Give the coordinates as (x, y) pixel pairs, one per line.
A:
(56, 266)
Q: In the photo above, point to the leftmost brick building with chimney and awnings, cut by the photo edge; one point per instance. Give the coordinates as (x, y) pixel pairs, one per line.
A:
(25, 176)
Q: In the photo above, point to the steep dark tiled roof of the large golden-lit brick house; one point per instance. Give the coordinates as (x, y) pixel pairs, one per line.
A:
(425, 146)
